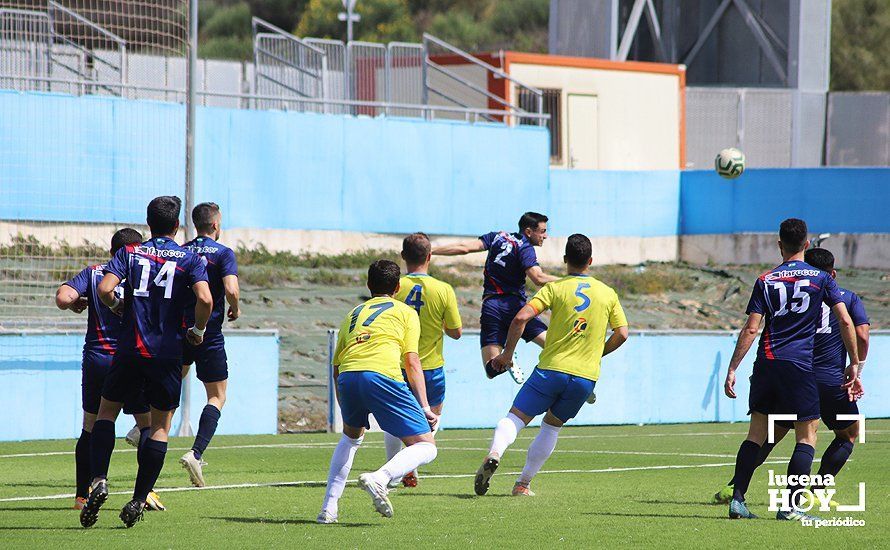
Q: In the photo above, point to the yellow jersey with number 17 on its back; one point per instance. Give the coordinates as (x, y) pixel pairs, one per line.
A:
(375, 336)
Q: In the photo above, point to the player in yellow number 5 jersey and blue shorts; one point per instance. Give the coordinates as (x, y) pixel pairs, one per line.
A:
(583, 308)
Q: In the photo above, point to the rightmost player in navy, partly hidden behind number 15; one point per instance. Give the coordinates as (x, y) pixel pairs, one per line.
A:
(829, 360)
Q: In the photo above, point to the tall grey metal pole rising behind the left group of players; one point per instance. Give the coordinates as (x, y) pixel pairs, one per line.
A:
(185, 425)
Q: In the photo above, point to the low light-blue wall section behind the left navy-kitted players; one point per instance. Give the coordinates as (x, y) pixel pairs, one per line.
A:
(40, 379)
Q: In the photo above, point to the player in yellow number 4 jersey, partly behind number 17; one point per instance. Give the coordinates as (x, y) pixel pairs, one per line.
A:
(436, 305)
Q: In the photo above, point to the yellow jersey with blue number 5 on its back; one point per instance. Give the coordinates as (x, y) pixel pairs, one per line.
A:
(582, 309)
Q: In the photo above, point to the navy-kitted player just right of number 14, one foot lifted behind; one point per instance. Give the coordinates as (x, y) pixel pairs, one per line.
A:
(210, 357)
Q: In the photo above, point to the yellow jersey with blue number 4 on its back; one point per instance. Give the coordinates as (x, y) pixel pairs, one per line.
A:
(435, 303)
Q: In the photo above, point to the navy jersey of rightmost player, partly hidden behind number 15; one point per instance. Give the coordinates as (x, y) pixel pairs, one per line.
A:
(829, 354)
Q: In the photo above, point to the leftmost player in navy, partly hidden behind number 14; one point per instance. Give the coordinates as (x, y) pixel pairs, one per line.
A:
(103, 326)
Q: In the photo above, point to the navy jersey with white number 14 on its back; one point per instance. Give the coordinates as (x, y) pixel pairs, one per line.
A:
(159, 274)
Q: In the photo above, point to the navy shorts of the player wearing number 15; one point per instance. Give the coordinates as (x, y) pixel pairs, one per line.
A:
(783, 387)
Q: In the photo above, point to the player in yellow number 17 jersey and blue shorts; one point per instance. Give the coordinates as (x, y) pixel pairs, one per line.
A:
(377, 340)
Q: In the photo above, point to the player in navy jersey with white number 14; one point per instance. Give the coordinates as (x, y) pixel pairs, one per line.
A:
(159, 278)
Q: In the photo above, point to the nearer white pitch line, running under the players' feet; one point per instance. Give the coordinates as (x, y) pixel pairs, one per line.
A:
(164, 490)
